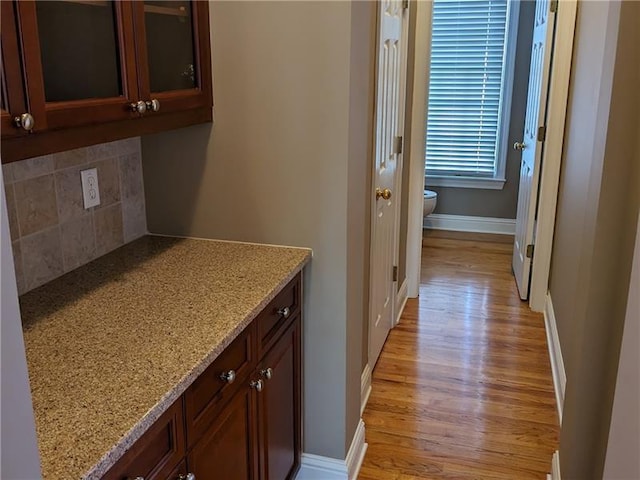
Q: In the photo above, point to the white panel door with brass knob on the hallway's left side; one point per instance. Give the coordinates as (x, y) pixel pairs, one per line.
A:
(388, 131)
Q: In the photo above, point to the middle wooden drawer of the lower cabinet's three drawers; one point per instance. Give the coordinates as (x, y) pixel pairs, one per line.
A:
(208, 394)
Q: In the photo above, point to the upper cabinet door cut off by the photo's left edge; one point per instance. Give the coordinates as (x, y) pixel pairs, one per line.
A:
(13, 102)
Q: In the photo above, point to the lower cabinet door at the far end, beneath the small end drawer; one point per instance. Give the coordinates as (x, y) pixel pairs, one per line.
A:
(279, 407)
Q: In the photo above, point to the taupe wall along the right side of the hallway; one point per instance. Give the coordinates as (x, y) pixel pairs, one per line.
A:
(599, 200)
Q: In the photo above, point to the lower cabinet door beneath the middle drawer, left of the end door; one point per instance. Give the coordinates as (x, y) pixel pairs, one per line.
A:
(228, 449)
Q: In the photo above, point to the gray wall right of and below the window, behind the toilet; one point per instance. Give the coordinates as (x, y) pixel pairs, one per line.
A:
(499, 203)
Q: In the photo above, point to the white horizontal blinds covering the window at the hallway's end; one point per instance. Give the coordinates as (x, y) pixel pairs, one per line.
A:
(466, 81)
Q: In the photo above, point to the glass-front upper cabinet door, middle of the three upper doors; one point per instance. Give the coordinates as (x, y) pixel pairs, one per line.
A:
(79, 61)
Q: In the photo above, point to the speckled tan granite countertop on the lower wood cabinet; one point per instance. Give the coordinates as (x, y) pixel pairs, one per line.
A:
(111, 345)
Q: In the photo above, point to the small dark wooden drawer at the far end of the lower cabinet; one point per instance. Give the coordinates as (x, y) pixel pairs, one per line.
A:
(274, 319)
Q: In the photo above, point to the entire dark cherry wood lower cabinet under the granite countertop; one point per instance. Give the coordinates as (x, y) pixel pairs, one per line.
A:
(241, 419)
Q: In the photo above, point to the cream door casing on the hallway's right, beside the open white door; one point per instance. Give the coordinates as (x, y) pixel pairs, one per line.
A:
(552, 154)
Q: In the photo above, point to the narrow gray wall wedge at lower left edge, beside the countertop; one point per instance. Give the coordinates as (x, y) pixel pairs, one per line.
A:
(19, 458)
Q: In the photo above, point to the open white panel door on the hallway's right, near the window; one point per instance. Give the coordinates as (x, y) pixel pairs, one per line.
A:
(531, 146)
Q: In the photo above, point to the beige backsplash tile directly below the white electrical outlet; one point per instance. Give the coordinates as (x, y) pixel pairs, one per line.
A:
(78, 242)
